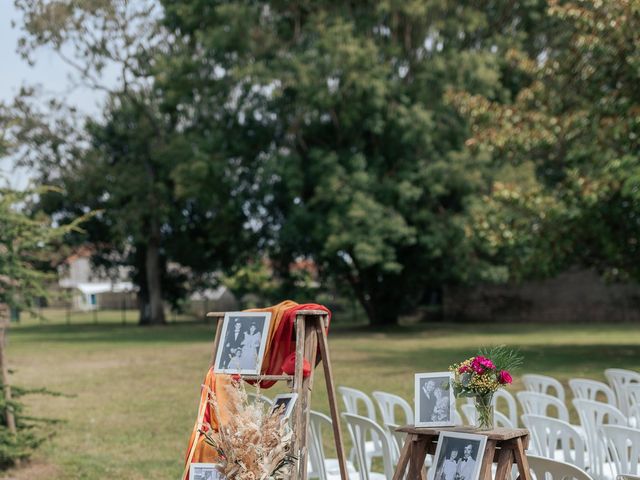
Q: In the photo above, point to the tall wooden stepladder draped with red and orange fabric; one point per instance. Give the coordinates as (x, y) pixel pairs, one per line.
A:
(311, 333)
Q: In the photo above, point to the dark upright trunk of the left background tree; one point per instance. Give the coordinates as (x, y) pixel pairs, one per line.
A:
(151, 307)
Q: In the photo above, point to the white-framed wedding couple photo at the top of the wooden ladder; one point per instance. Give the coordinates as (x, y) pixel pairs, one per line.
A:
(243, 339)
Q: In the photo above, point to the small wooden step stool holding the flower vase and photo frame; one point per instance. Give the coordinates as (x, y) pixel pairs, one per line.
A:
(505, 446)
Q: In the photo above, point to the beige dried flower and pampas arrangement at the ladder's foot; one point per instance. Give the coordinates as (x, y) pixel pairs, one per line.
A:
(255, 443)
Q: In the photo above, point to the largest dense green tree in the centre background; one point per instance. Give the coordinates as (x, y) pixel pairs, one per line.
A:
(340, 108)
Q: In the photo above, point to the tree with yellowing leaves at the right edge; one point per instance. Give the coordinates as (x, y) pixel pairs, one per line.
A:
(575, 123)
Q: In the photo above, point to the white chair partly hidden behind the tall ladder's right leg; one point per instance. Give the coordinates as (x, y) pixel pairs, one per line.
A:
(320, 467)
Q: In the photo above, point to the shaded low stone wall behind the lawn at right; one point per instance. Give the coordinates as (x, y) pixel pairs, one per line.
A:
(576, 296)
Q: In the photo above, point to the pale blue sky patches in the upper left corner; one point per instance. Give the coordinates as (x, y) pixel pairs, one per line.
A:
(49, 72)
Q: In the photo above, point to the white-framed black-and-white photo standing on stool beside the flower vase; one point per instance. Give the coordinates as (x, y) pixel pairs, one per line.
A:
(434, 400)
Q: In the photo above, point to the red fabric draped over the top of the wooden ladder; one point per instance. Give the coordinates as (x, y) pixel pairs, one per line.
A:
(284, 341)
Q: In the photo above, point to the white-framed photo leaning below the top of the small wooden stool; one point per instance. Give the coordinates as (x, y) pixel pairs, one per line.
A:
(458, 456)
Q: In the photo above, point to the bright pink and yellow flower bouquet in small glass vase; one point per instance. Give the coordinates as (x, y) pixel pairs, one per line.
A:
(481, 376)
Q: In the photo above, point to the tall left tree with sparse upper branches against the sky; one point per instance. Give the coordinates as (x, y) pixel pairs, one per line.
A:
(166, 209)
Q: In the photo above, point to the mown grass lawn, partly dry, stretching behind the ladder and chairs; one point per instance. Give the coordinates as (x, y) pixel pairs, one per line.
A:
(135, 390)
